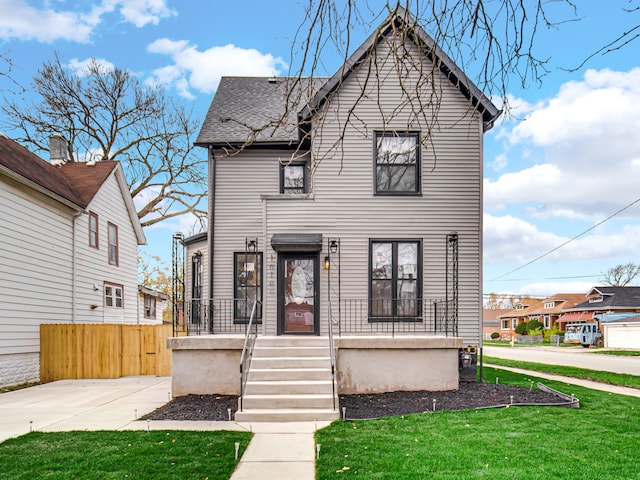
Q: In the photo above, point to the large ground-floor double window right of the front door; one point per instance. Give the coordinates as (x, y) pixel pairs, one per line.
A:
(394, 280)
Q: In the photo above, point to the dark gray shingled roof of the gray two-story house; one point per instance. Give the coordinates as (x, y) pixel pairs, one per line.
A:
(268, 112)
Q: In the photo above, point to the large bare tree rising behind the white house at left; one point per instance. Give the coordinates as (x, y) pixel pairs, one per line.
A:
(107, 114)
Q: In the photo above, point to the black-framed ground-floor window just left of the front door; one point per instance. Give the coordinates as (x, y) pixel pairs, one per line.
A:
(248, 285)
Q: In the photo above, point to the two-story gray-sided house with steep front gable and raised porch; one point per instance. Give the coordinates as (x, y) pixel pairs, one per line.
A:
(350, 207)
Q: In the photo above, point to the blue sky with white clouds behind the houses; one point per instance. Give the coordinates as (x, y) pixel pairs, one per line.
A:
(566, 160)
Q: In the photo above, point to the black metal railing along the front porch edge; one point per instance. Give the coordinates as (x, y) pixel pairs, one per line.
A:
(355, 317)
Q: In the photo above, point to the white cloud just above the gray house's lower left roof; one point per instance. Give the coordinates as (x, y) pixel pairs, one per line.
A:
(201, 70)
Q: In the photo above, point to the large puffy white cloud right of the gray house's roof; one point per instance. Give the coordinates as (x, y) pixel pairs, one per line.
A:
(578, 151)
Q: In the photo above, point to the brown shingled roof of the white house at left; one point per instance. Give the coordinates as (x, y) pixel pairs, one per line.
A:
(74, 184)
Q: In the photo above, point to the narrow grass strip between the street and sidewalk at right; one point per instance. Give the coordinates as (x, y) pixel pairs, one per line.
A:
(610, 378)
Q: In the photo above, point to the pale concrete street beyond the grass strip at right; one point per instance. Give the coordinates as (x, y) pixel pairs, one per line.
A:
(568, 356)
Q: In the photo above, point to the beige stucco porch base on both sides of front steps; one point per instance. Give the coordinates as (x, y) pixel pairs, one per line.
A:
(364, 364)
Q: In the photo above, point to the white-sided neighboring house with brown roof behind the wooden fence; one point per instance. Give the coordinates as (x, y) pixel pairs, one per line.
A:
(68, 250)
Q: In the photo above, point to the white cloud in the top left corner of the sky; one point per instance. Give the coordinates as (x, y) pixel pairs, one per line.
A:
(21, 20)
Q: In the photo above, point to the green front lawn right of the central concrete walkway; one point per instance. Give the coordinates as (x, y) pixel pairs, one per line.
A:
(596, 441)
